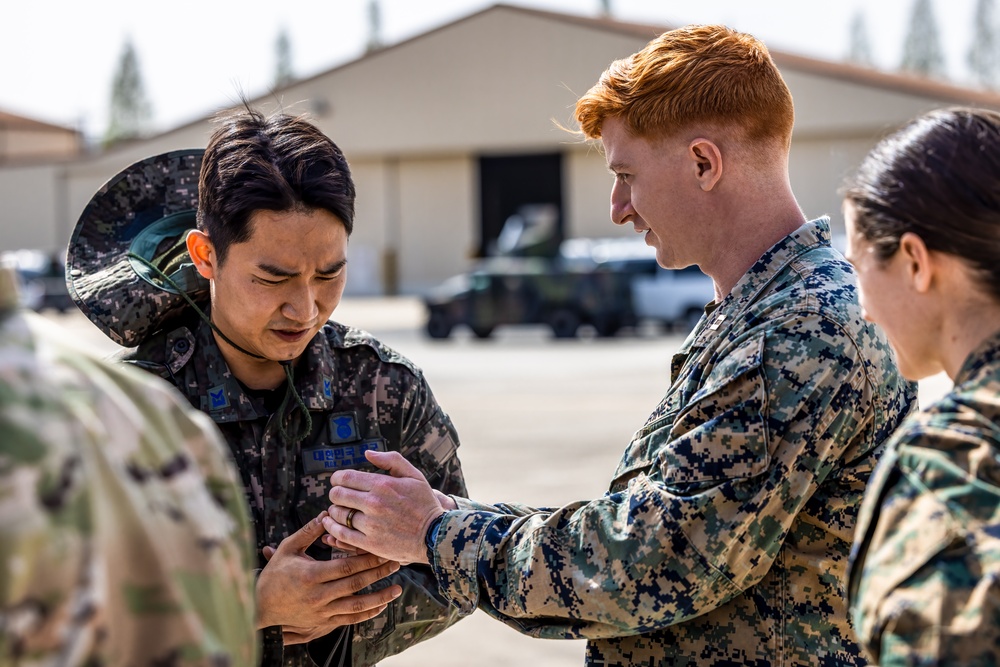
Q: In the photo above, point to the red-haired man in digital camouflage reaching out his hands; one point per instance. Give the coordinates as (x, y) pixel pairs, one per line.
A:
(724, 535)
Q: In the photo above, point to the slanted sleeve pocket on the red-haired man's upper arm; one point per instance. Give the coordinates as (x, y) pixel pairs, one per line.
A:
(719, 434)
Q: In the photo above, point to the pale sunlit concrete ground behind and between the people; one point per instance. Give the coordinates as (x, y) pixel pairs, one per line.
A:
(541, 421)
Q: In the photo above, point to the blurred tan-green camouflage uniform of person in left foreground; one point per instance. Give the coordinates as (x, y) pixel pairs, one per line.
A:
(124, 535)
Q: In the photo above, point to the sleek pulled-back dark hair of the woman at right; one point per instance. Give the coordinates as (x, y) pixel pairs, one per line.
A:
(939, 178)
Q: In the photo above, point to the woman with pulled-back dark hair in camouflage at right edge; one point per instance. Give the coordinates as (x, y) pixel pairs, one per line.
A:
(923, 230)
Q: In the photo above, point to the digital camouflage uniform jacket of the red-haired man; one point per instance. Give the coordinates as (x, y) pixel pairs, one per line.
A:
(724, 536)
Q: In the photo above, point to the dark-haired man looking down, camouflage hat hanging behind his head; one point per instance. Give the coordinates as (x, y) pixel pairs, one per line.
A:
(236, 315)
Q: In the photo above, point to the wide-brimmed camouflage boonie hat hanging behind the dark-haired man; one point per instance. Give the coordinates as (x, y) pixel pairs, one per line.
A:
(146, 210)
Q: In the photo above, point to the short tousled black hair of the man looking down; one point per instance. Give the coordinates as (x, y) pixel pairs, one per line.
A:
(275, 163)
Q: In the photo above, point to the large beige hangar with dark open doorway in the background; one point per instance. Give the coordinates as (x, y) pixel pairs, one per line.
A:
(449, 132)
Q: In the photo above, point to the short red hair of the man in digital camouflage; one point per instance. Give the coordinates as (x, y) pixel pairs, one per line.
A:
(699, 73)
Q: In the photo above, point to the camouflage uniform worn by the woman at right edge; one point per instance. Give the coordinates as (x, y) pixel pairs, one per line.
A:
(925, 572)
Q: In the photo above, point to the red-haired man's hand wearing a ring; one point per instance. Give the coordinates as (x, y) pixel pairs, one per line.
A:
(393, 512)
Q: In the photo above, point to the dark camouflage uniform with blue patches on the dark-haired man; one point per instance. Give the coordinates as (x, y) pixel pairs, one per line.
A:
(361, 395)
